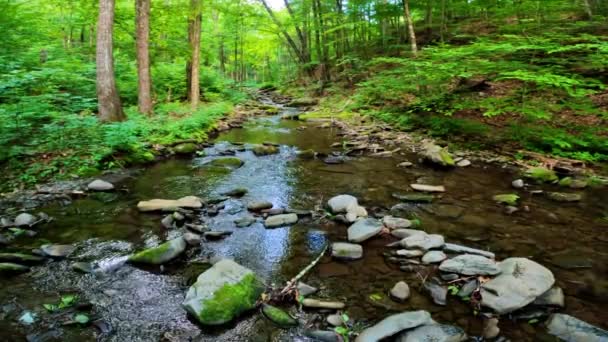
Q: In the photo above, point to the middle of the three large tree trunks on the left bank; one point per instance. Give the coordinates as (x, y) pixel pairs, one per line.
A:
(144, 84)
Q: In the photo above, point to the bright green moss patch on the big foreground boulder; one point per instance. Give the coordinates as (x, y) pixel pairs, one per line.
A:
(230, 301)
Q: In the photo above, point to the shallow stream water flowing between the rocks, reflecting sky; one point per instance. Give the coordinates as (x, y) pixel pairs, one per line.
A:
(144, 304)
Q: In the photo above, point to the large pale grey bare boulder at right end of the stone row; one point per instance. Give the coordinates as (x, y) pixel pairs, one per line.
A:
(521, 280)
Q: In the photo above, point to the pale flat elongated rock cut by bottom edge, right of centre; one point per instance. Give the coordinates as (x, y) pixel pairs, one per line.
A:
(393, 325)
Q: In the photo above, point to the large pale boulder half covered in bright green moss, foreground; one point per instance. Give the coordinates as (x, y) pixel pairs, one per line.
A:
(222, 293)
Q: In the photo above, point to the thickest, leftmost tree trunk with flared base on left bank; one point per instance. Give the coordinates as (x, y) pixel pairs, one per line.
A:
(110, 108)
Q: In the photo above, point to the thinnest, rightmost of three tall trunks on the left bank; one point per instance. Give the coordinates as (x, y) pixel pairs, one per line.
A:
(194, 38)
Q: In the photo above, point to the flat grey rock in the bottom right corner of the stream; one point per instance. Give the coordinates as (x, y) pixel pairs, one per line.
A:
(572, 329)
